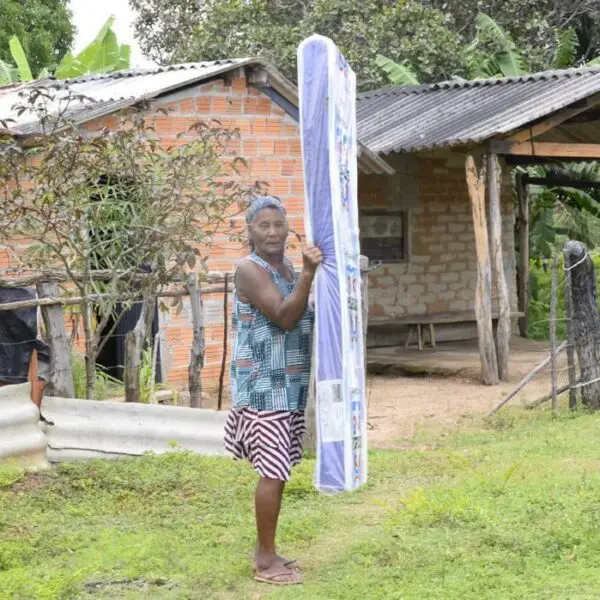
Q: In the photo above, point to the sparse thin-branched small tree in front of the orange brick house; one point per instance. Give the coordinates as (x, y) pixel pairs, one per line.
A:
(115, 216)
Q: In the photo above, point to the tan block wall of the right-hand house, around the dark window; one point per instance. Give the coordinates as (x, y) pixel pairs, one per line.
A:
(440, 274)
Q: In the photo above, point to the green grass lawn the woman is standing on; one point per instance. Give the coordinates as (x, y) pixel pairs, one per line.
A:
(503, 509)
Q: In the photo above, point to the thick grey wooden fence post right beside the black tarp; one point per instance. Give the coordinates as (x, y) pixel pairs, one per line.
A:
(61, 375)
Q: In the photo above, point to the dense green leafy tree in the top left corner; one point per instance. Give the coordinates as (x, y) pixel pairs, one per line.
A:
(44, 28)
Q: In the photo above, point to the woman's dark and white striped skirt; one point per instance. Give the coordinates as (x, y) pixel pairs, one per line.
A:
(270, 439)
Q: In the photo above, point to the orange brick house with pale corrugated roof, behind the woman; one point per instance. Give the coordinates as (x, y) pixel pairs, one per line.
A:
(246, 94)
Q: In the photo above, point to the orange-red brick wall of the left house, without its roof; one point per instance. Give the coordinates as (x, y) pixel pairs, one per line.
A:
(270, 143)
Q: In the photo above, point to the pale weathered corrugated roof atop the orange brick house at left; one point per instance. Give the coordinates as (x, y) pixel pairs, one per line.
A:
(107, 93)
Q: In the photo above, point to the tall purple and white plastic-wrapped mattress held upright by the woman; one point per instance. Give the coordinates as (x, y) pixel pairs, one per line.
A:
(327, 89)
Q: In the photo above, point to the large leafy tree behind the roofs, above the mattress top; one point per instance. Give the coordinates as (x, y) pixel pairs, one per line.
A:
(403, 29)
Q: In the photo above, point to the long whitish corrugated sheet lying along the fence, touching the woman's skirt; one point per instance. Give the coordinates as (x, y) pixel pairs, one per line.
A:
(80, 429)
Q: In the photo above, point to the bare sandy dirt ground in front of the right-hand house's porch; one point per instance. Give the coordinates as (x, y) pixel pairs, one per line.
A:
(400, 406)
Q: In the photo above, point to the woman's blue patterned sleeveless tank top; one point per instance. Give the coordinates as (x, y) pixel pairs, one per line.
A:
(270, 368)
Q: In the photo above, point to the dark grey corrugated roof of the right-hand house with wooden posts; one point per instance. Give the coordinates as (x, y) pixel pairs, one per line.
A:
(417, 118)
